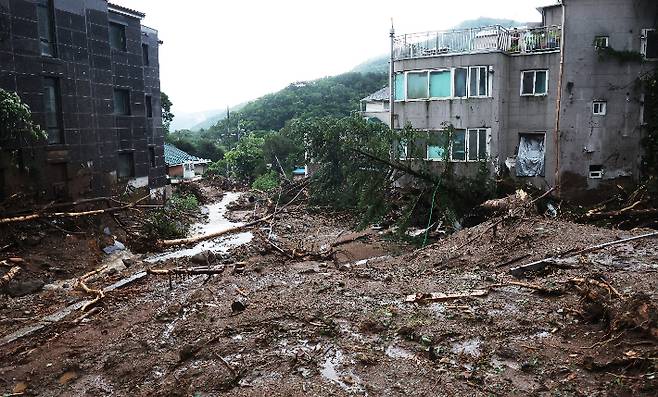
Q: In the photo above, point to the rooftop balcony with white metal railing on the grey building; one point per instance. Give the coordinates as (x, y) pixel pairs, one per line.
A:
(478, 40)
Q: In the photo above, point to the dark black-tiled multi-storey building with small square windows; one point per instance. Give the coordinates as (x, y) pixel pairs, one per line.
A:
(89, 72)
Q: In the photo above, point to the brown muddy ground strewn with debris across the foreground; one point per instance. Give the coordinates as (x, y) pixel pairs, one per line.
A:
(347, 320)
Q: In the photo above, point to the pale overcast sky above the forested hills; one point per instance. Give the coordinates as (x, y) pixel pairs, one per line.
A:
(219, 53)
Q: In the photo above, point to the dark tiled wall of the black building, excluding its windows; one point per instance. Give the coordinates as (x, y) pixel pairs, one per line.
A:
(88, 71)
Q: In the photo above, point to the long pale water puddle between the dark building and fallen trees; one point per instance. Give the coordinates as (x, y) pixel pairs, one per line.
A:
(217, 222)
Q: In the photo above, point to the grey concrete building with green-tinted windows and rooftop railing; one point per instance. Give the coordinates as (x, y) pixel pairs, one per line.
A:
(550, 105)
